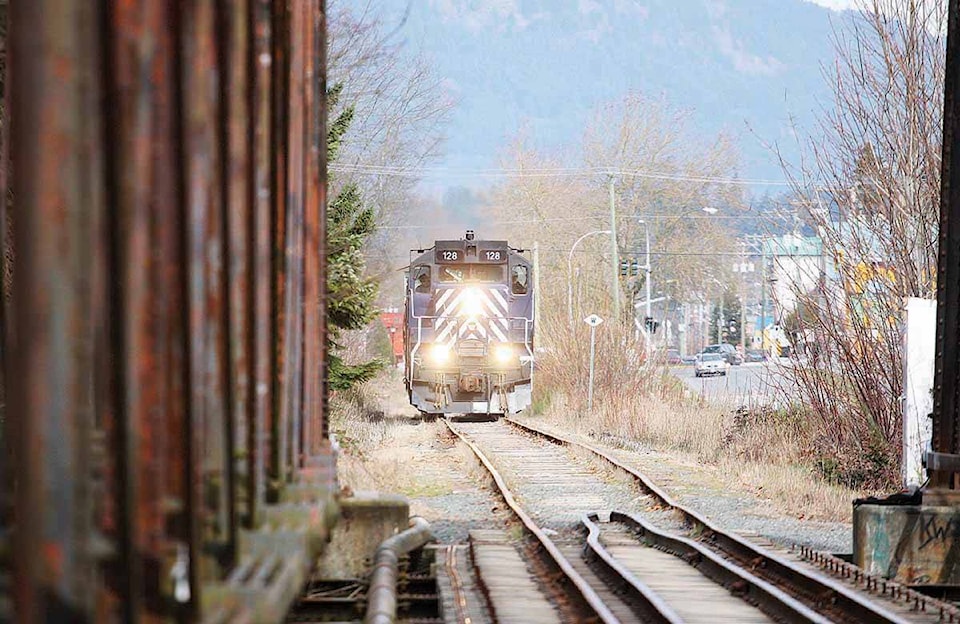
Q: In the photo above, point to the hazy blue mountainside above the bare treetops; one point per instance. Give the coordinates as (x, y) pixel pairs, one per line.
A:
(751, 68)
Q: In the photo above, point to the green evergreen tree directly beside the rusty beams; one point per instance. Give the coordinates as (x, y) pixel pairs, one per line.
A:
(351, 296)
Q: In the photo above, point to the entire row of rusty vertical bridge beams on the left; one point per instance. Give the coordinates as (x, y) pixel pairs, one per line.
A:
(165, 348)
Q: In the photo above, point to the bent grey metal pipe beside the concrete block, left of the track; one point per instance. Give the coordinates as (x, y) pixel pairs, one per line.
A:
(382, 596)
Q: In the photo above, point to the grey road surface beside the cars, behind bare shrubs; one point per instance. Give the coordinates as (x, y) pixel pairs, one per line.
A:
(747, 384)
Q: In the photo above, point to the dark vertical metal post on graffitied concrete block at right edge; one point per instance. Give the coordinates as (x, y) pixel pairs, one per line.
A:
(946, 403)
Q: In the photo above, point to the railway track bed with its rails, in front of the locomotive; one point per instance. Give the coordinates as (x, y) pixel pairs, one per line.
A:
(625, 551)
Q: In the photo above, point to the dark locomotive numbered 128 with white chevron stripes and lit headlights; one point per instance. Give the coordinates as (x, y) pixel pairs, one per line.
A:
(469, 327)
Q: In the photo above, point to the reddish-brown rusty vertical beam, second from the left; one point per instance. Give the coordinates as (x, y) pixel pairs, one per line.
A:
(144, 178)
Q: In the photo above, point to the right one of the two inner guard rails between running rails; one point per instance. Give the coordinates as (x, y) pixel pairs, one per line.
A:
(767, 597)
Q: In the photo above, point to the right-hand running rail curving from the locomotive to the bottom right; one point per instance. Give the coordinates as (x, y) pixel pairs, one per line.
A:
(826, 595)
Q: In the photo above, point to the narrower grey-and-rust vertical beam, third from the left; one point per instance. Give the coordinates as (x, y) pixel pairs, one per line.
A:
(207, 300)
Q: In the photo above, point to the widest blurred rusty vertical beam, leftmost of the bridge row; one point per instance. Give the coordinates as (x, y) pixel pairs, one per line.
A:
(54, 45)
